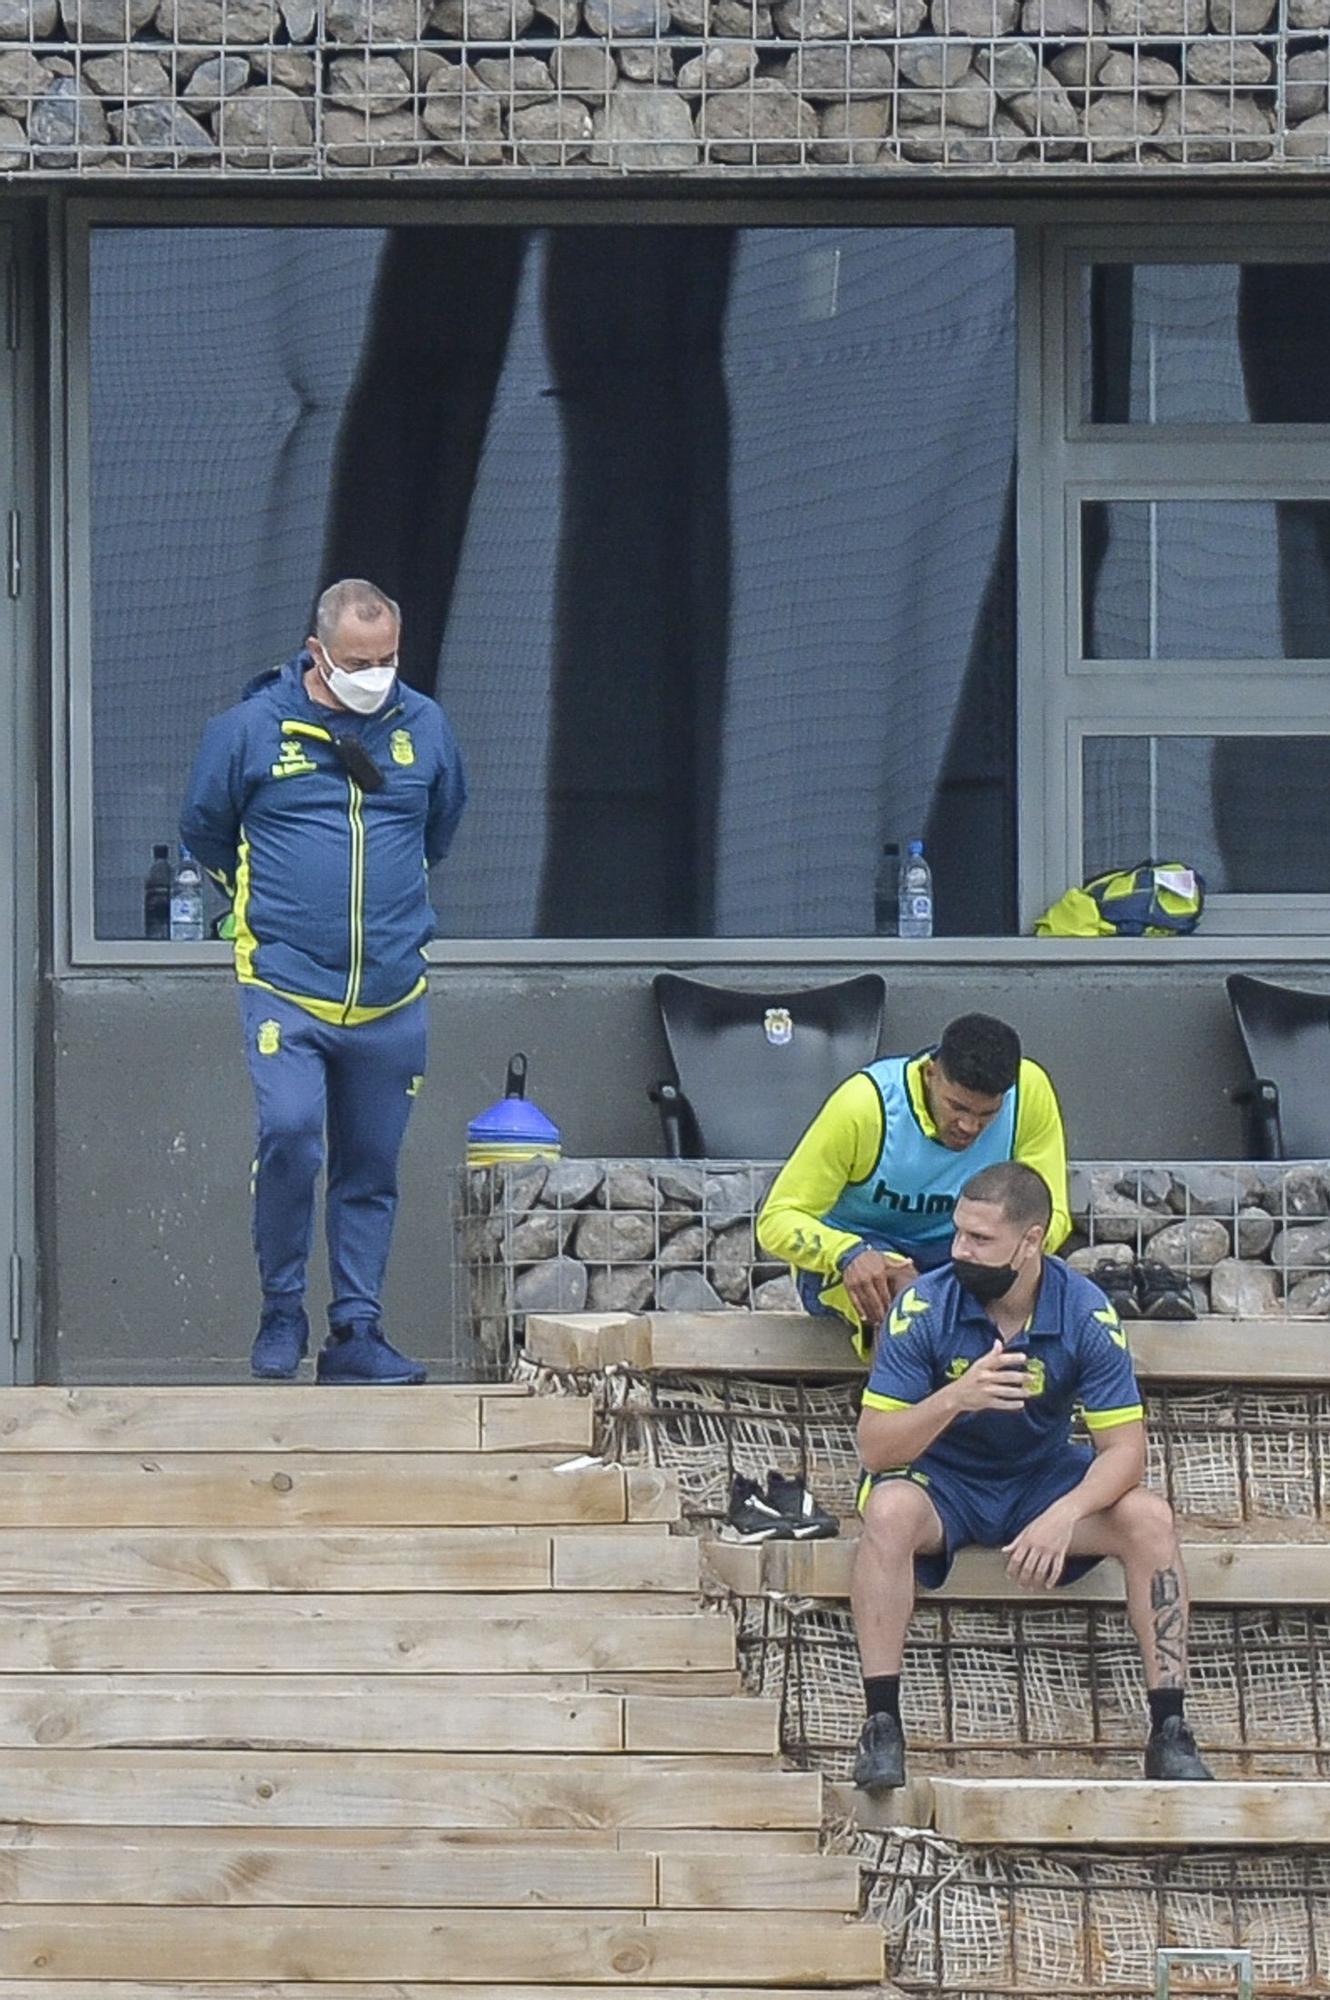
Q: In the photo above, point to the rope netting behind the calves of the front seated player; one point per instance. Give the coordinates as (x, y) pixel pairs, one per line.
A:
(1045, 1687)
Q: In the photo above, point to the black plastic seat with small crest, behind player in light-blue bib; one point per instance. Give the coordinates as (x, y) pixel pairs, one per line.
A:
(751, 1069)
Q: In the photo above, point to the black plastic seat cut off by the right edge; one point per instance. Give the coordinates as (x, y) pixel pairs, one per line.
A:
(1287, 1039)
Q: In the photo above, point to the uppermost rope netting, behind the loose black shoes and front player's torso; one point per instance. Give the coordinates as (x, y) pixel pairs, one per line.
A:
(1225, 1457)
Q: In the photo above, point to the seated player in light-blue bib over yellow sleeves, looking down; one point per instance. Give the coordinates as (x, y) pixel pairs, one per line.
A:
(865, 1201)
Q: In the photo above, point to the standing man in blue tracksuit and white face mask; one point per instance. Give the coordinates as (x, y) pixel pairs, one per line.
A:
(319, 803)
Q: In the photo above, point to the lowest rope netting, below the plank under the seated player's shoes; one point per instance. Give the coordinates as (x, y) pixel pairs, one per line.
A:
(1021, 1923)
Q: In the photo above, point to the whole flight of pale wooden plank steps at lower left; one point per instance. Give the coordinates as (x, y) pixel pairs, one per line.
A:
(385, 1697)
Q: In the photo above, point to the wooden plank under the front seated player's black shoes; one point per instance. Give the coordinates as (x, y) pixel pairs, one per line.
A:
(1133, 1813)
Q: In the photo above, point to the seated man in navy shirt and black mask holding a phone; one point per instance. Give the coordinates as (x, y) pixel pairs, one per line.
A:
(965, 1437)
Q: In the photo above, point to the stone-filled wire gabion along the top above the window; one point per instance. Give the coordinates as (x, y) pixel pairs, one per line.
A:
(661, 87)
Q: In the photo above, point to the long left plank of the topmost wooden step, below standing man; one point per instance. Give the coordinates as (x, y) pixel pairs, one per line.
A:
(279, 1417)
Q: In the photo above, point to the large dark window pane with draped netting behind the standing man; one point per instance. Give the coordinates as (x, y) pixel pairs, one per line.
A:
(703, 537)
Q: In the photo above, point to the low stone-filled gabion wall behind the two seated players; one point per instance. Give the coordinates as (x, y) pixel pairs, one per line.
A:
(679, 1235)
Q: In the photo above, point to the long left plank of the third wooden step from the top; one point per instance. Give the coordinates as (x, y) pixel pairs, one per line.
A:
(283, 1559)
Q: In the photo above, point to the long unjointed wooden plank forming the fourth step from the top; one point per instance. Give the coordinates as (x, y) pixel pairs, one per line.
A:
(345, 1637)
